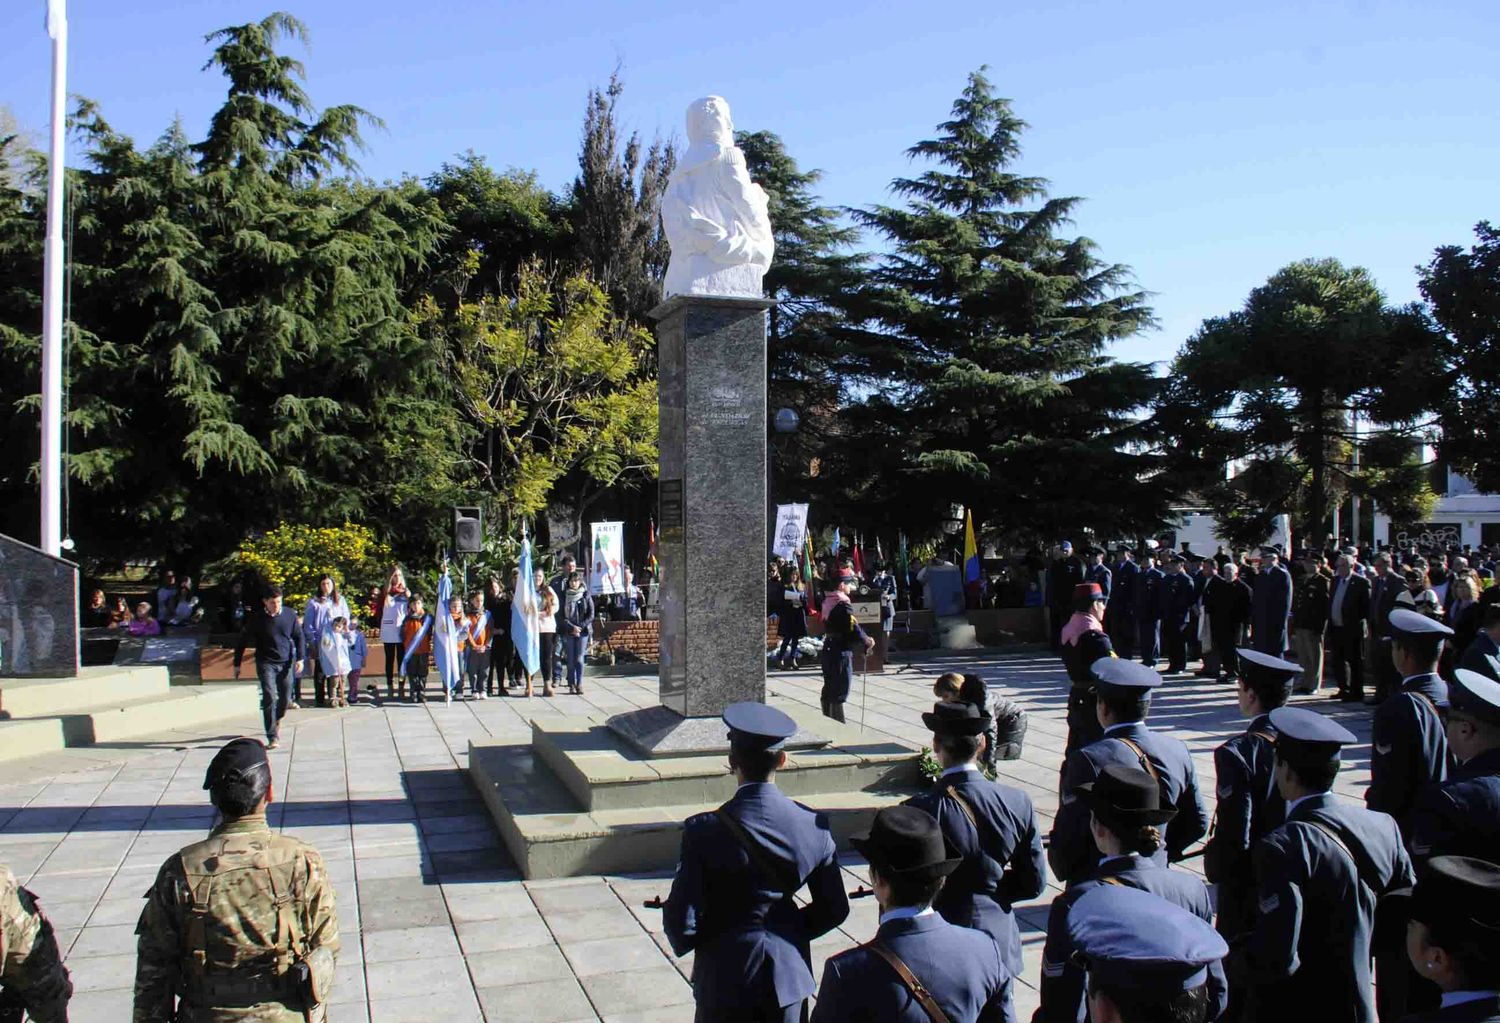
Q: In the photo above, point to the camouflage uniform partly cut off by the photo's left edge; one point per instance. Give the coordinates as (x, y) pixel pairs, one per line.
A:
(32, 973)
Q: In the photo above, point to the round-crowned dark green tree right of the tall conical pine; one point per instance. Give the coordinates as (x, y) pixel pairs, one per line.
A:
(1273, 389)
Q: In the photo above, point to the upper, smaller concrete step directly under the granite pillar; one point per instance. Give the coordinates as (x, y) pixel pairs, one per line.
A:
(602, 773)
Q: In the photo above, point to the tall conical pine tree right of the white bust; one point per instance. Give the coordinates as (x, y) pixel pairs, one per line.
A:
(989, 326)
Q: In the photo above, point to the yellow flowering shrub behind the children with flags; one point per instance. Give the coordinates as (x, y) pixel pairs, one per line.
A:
(298, 556)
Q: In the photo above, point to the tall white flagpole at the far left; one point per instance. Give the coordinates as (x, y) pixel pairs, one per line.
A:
(53, 292)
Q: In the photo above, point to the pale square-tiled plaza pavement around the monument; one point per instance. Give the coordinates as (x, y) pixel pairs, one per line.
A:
(436, 923)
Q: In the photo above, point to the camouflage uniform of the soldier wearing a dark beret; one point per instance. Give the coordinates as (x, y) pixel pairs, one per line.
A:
(235, 928)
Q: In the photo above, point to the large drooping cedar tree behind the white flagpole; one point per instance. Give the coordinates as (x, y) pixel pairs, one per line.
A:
(239, 344)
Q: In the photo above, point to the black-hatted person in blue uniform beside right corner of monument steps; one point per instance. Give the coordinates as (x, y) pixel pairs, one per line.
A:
(991, 827)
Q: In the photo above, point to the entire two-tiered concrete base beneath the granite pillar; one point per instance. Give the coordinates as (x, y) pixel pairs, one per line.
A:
(580, 800)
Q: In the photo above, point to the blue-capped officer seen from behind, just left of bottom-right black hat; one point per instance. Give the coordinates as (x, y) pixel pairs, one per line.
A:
(1319, 877)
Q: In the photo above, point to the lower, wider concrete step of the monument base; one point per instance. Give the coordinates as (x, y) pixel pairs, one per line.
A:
(550, 838)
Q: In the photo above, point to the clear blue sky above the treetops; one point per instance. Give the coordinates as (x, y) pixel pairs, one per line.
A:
(1213, 145)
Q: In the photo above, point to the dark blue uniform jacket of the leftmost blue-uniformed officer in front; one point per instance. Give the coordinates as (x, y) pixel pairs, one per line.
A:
(751, 941)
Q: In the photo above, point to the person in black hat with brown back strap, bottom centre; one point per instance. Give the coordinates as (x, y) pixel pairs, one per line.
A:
(919, 968)
